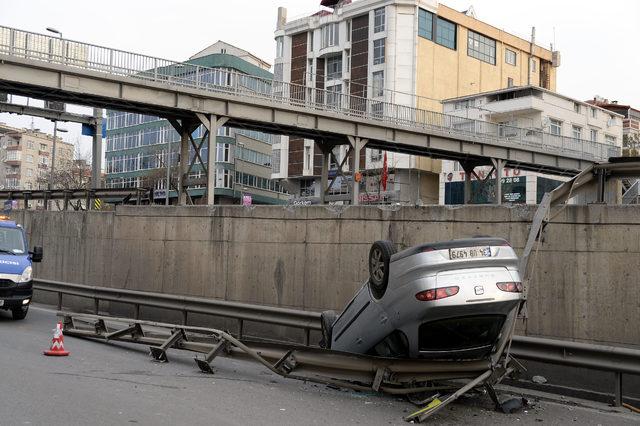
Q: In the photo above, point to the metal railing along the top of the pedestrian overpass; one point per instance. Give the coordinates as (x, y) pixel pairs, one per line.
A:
(120, 63)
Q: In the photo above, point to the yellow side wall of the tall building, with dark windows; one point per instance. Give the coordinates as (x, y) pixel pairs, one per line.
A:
(482, 58)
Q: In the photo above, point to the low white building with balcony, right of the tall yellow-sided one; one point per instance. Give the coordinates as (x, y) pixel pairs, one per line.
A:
(529, 114)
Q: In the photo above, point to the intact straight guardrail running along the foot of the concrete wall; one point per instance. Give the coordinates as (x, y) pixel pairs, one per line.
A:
(612, 359)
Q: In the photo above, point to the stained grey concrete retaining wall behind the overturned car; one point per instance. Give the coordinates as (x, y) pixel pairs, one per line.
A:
(585, 288)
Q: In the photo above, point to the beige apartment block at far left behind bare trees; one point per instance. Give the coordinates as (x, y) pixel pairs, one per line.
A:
(25, 157)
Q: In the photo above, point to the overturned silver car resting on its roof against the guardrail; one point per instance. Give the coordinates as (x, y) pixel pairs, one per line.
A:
(445, 300)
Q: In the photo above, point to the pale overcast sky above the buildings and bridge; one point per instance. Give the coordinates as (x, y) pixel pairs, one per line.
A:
(598, 40)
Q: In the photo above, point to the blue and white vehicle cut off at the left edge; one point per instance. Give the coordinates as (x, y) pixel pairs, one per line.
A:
(16, 287)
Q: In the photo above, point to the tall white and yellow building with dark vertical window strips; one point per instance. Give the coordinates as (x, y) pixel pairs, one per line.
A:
(409, 52)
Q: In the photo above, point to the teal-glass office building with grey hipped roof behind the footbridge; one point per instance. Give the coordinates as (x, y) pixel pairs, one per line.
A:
(137, 145)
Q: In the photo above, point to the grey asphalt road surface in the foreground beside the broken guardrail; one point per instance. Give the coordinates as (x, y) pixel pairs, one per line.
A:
(100, 384)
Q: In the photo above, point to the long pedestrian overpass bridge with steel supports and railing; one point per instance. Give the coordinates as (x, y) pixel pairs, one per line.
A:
(188, 95)
